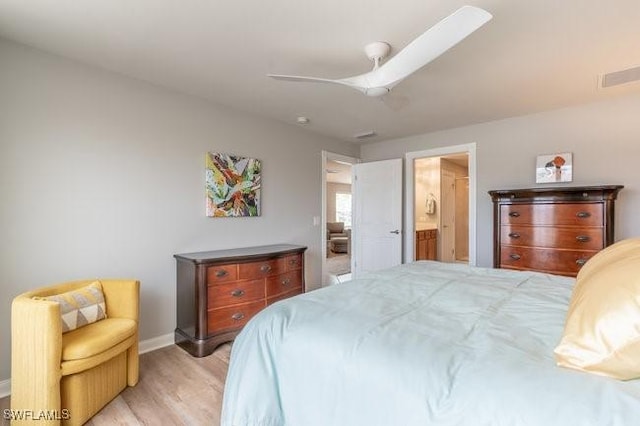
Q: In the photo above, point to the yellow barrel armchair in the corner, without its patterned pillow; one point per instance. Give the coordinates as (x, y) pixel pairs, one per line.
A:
(68, 377)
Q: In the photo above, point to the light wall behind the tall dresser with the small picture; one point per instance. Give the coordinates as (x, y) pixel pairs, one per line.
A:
(604, 138)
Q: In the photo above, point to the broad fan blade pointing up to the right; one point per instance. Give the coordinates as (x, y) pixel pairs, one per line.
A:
(428, 46)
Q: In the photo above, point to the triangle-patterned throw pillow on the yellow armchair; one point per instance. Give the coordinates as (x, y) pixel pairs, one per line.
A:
(80, 307)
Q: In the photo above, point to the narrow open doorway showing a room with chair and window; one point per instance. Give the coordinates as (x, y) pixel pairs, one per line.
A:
(337, 217)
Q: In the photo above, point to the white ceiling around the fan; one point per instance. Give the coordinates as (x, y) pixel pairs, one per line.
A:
(534, 55)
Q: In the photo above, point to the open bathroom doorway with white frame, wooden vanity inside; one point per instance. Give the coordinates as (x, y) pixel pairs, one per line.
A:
(440, 205)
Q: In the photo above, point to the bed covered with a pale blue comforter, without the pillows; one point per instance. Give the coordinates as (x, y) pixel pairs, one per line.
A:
(425, 343)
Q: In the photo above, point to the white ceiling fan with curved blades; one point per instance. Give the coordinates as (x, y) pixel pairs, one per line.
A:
(424, 49)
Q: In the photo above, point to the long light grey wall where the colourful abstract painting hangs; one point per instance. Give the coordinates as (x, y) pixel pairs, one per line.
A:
(103, 176)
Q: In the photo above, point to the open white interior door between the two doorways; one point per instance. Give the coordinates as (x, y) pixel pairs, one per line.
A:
(377, 215)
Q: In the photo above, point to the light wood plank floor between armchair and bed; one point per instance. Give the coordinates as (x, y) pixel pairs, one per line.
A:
(174, 389)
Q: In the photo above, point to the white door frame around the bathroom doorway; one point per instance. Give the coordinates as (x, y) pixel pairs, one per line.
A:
(409, 226)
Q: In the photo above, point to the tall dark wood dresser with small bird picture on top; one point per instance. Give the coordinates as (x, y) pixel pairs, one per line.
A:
(553, 230)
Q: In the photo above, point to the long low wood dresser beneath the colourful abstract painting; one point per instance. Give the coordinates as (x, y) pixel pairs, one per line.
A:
(219, 291)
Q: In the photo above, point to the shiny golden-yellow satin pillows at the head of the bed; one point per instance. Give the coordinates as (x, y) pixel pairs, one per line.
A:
(602, 331)
